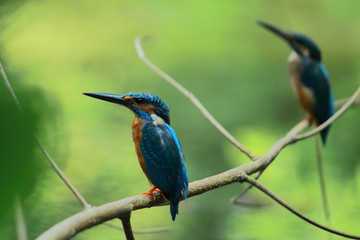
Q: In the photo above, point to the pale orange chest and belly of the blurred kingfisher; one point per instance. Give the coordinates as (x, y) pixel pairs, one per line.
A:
(303, 93)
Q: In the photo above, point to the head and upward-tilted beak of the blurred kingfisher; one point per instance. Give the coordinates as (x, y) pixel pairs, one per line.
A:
(301, 44)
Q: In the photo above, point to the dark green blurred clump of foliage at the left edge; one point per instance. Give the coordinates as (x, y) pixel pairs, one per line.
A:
(20, 166)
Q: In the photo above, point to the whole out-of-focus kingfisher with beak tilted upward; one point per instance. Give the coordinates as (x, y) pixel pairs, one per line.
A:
(308, 76)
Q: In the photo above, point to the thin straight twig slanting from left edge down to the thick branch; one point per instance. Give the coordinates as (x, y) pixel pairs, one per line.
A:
(41, 146)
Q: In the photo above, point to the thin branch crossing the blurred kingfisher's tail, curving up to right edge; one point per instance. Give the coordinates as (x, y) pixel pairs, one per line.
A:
(339, 113)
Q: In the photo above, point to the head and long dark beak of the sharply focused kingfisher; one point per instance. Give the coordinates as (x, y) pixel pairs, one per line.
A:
(142, 104)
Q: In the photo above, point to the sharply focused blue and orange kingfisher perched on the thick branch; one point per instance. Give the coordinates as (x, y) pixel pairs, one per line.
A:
(158, 149)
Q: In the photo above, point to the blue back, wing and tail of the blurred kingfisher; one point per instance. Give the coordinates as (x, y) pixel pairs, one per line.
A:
(316, 78)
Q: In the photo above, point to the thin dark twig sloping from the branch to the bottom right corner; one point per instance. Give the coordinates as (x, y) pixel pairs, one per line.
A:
(297, 213)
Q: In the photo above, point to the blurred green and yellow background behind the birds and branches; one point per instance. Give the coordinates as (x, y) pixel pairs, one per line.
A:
(55, 50)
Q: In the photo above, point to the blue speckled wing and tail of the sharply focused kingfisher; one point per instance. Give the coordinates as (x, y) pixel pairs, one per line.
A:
(164, 161)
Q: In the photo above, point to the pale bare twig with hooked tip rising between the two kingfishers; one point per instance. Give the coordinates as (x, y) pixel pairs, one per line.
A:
(191, 97)
